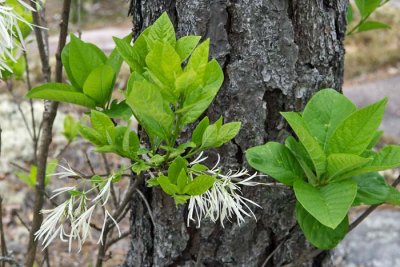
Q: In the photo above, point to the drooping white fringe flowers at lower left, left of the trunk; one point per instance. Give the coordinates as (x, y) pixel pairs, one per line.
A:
(76, 212)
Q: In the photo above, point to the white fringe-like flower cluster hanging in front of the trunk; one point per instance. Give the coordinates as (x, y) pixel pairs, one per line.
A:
(224, 199)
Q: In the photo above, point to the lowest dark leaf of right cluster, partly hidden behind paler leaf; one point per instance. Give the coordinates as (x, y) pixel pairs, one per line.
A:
(318, 234)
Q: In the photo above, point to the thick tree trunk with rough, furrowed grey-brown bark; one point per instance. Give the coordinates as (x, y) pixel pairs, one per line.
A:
(275, 54)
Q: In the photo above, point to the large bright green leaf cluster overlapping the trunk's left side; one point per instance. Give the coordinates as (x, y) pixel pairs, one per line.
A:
(171, 85)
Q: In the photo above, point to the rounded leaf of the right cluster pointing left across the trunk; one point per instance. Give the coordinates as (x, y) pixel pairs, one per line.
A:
(275, 160)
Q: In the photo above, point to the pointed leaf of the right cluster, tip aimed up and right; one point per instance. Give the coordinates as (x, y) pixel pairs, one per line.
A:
(355, 133)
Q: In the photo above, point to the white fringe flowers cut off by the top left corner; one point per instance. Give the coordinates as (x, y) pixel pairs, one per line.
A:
(10, 33)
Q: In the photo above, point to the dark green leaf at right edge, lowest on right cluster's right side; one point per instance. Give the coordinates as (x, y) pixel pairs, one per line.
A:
(373, 190)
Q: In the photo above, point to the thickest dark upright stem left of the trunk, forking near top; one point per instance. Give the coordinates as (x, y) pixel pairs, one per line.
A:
(49, 115)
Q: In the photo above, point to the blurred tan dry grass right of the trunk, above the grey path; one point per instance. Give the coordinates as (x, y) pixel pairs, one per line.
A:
(370, 51)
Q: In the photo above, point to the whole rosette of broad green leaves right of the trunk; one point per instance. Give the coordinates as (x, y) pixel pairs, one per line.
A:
(331, 165)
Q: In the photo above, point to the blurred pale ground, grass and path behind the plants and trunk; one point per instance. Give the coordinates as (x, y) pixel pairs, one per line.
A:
(372, 71)
